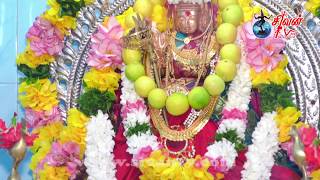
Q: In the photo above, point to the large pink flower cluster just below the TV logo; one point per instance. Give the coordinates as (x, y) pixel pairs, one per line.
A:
(262, 54)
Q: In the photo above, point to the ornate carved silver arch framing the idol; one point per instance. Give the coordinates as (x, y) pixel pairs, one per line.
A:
(303, 52)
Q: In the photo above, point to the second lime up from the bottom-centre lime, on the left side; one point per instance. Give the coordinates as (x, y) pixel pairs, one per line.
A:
(143, 85)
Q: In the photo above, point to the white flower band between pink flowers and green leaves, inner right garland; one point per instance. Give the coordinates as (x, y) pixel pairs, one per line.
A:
(233, 124)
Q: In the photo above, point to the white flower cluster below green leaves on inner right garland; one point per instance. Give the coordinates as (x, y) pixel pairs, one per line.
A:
(224, 149)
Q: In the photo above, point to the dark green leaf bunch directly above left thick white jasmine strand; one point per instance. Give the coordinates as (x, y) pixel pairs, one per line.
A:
(93, 100)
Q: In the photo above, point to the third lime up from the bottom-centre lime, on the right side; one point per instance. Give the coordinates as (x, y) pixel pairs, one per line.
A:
(226, 69)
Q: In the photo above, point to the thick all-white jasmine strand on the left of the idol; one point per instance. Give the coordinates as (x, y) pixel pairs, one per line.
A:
(99, 158)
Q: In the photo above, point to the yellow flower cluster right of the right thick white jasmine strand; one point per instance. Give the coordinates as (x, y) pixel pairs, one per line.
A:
(285, 118)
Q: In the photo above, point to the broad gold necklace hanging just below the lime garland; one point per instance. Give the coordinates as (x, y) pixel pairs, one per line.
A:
(188, 133)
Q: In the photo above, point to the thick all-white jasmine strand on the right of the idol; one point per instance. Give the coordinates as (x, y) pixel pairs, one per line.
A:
(260, 153)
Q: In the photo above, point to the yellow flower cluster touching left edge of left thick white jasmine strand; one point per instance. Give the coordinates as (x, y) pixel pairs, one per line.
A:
(75, 131)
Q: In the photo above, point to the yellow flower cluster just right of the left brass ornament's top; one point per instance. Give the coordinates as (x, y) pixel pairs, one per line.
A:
(46, 135)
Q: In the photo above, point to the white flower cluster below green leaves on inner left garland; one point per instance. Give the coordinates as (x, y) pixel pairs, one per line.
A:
(136, 142)
